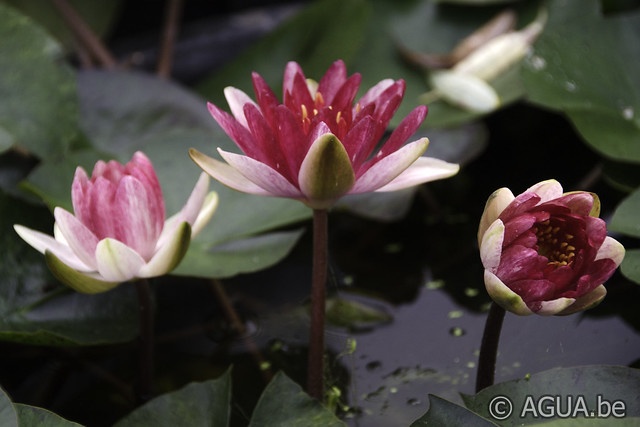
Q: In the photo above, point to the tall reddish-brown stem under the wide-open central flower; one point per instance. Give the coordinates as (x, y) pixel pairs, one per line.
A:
(315, 372)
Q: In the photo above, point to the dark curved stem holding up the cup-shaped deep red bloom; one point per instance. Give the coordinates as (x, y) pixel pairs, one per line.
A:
(489, 347)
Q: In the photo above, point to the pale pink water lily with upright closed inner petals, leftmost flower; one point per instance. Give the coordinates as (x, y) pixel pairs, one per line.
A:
(119, 231)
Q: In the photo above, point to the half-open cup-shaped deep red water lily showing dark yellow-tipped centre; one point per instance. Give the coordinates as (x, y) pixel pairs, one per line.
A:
(545, 251)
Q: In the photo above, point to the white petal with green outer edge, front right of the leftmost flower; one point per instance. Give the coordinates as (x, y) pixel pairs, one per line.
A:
(169, 255)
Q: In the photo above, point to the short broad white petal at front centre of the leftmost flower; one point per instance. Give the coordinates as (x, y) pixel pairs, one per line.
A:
(117, 262)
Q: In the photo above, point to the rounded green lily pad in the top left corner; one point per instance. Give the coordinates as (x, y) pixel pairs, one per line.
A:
(39, 110)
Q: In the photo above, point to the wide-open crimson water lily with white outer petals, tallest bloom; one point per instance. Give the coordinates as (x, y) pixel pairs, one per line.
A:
(317, 145)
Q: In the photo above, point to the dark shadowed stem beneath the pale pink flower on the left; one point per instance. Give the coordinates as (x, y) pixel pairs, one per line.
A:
(146, 340)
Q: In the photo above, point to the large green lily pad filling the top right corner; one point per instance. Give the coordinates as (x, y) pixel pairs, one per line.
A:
(584, 64)
